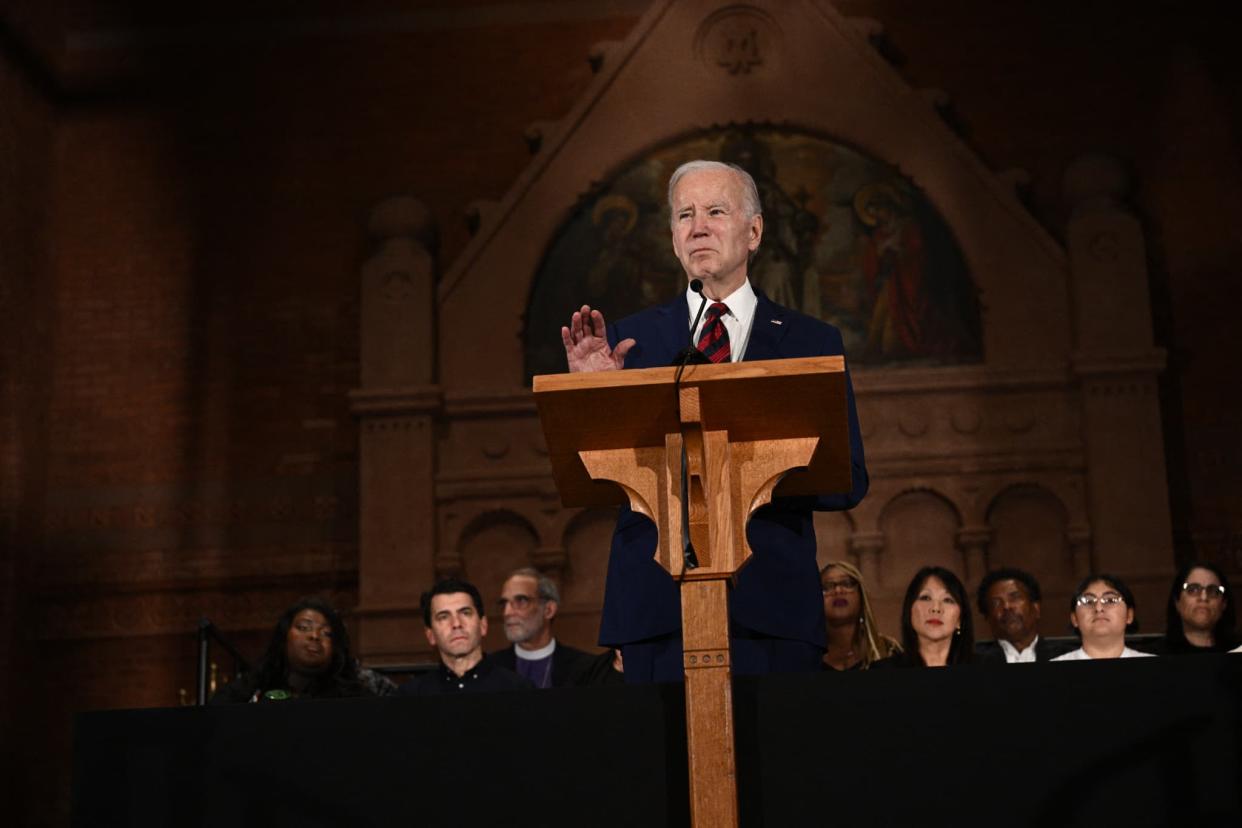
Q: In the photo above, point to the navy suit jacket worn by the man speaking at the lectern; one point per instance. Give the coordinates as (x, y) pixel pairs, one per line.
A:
(778, 592)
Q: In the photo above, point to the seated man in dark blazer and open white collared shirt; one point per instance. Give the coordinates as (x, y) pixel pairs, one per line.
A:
(1010, 601)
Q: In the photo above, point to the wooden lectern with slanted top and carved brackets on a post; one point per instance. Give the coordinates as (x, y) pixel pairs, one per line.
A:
(748, 430)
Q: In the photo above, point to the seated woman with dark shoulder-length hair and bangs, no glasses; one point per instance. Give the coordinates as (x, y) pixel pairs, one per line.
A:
(937, 629)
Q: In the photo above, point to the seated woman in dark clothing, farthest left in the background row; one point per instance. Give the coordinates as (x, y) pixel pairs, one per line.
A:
(307, 659)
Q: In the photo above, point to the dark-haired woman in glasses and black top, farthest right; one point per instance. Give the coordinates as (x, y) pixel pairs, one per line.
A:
(1200, 616)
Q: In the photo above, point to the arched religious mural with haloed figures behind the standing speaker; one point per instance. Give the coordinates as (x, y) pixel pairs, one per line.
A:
(848, 239)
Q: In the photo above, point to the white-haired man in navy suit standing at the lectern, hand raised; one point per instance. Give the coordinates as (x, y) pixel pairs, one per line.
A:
(776, 608)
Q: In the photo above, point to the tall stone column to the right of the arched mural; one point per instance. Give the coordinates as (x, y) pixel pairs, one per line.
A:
(1117, 366)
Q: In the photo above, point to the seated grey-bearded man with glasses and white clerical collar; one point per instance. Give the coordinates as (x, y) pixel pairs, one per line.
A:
(528, 604)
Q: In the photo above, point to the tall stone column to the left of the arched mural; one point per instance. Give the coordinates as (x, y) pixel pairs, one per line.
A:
(397, 408)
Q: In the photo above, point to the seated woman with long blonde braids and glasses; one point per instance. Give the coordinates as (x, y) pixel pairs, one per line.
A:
(854, 641)
